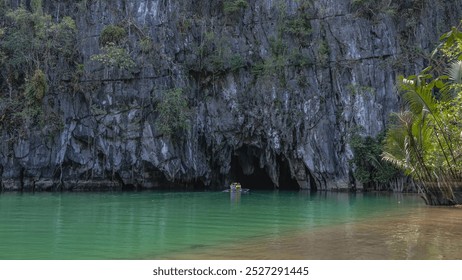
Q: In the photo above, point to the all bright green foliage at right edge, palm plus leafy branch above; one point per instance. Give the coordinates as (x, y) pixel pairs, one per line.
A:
(424, 139)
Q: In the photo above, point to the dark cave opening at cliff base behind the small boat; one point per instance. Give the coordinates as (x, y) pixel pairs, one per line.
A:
(246, 170)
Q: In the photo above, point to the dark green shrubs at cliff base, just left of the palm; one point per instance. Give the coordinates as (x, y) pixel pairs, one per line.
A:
(369, 168)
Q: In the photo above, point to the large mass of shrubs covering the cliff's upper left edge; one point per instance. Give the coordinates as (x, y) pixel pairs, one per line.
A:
(32, 46)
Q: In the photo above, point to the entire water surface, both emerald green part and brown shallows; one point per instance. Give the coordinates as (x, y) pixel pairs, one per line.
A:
(215, 225)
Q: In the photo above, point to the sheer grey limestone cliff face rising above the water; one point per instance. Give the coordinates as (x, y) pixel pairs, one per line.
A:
(274, 88)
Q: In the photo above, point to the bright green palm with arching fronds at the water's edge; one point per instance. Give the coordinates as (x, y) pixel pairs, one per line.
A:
(420, 140)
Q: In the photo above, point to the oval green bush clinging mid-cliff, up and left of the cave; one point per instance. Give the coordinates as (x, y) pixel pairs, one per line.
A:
(173, 112)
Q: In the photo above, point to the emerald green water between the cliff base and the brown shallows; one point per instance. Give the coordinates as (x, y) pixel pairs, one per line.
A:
(157, 225)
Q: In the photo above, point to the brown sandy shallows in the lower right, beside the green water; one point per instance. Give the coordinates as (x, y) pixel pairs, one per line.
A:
(413, 237)
